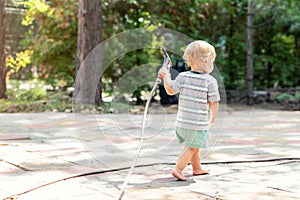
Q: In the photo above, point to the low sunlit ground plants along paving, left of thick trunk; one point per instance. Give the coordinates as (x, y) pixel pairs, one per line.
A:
(32, 96)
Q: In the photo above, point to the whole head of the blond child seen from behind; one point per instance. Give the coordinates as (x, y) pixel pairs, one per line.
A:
(200, 55)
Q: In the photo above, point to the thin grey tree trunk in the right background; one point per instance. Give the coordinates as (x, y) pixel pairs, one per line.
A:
(250, 52)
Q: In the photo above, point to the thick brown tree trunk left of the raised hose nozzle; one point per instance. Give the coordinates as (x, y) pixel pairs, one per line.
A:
(89, 36)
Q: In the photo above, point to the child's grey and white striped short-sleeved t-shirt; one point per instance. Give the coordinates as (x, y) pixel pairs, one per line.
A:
(196, 90)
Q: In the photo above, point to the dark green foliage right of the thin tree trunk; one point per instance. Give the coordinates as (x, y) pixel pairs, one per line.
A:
(276, 58)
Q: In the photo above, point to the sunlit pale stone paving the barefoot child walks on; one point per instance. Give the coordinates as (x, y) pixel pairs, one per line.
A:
(66, 145)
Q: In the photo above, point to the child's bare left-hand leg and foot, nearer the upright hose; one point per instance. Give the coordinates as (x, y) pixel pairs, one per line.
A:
(182, 162)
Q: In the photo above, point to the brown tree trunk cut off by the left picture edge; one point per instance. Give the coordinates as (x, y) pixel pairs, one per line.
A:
(2, 51)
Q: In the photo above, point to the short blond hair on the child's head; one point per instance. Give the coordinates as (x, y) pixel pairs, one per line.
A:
(197, 51)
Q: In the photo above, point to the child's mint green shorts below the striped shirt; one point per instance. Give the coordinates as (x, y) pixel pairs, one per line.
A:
(192, 138)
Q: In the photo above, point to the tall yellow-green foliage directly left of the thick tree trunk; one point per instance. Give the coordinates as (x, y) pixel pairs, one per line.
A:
(52, 37)
